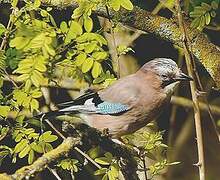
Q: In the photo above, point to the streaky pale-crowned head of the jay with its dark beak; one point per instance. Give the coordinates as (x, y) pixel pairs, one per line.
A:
(166, 70)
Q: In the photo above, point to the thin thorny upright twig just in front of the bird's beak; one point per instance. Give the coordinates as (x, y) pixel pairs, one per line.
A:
(201, 158)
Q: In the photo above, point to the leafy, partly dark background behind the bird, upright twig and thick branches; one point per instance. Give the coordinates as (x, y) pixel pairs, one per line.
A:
(69, 54)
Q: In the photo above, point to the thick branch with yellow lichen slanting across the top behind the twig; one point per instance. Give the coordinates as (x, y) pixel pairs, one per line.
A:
(167, 29)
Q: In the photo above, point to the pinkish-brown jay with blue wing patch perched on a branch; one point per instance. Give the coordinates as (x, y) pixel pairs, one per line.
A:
(131, 102)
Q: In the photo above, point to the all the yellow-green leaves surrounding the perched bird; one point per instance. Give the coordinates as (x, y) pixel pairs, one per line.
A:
(42, 51)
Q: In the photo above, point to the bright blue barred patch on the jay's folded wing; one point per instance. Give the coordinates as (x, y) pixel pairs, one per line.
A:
(111, 108)
